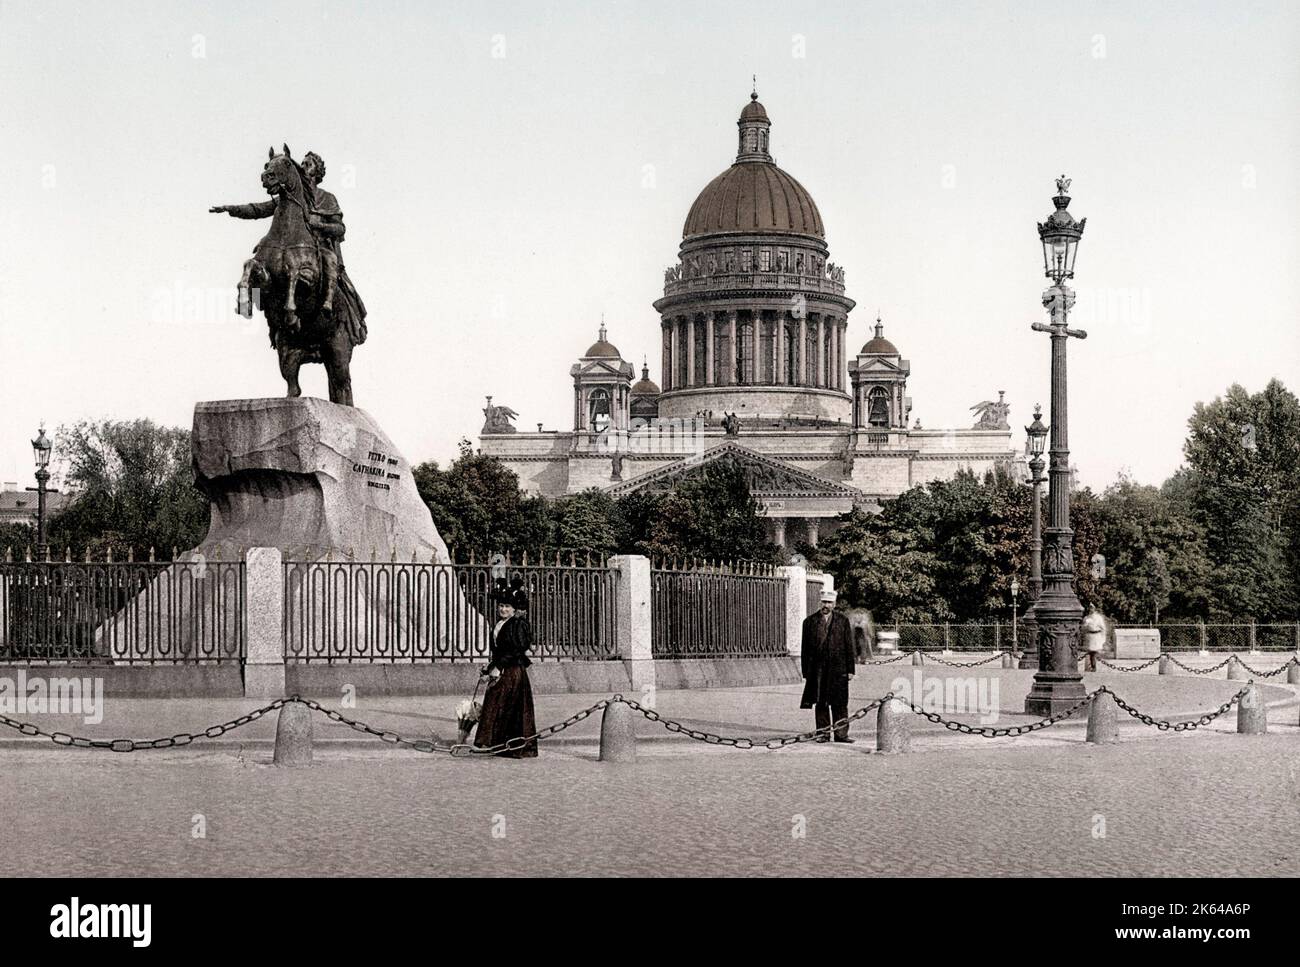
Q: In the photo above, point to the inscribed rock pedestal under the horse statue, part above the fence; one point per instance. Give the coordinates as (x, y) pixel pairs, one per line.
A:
(310, 478)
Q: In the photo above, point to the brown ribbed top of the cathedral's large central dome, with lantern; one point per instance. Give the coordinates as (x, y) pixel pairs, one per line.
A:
(755, 196)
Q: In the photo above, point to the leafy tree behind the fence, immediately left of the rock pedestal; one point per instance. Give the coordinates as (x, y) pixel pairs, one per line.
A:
(135, 489)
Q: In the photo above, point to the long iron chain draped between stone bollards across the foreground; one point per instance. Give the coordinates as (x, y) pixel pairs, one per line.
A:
(465, 749)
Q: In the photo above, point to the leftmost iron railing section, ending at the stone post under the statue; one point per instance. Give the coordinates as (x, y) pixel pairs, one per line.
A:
(123, 613)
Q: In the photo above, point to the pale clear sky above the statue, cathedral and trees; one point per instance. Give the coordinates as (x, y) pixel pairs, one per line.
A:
(512, 172)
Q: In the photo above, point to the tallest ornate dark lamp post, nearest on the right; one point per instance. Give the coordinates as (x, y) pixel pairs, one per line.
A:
(1058, 684)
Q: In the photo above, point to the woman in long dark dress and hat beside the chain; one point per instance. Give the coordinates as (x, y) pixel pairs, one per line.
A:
(508, 710)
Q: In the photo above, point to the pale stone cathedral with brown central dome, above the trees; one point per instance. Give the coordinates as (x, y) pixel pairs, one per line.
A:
(756, 371)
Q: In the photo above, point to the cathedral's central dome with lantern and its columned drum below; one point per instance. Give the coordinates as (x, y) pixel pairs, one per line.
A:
(753, 316)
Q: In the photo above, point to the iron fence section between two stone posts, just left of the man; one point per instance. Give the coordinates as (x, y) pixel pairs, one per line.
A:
(718, 613)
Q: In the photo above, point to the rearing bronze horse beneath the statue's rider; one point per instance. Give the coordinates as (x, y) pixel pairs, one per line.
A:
(287, 272)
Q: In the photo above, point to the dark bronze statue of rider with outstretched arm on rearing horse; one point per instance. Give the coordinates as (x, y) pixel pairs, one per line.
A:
(297, 275)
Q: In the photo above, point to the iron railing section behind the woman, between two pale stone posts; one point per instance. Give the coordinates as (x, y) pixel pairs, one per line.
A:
(349, 612)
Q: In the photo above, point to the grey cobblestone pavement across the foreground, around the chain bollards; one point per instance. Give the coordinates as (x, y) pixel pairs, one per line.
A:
(1204, 804)
